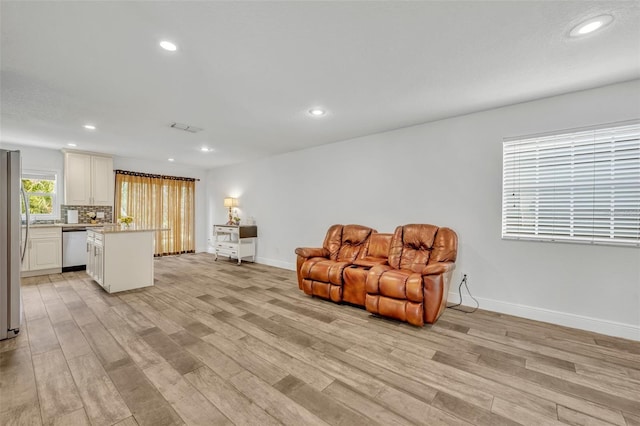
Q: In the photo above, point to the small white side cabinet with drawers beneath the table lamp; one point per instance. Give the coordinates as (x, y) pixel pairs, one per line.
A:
(235, 241)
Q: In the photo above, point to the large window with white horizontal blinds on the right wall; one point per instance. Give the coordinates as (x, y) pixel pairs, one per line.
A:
(582, 186)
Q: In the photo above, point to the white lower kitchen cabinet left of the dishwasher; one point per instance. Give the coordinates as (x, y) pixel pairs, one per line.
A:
(44, 251)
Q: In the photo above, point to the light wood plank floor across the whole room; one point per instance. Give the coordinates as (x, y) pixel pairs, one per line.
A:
(216, 343)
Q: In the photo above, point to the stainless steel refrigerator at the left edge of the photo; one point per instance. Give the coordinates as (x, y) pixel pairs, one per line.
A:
(11, 246)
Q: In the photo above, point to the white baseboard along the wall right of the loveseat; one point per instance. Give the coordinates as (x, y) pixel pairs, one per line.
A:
(611, 328)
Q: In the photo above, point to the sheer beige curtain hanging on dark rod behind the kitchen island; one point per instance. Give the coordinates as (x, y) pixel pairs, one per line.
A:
(159, 202)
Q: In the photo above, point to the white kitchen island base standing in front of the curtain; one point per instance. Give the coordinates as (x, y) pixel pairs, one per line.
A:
(120, 260)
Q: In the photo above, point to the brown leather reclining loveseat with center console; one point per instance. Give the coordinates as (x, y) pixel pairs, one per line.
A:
(404, 275)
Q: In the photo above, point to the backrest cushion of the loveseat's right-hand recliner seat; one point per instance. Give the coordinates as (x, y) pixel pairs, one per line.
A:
(411, 246)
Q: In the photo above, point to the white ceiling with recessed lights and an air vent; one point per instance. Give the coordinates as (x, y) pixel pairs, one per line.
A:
(247, 72)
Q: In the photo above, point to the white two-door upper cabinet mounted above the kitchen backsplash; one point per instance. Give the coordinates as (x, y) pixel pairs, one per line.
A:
(88, 179)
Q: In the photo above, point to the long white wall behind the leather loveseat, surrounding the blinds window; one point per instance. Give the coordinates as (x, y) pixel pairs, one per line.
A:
(448, 173)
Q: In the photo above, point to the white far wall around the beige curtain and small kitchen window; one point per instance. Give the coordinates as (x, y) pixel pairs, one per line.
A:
(35, 158)
